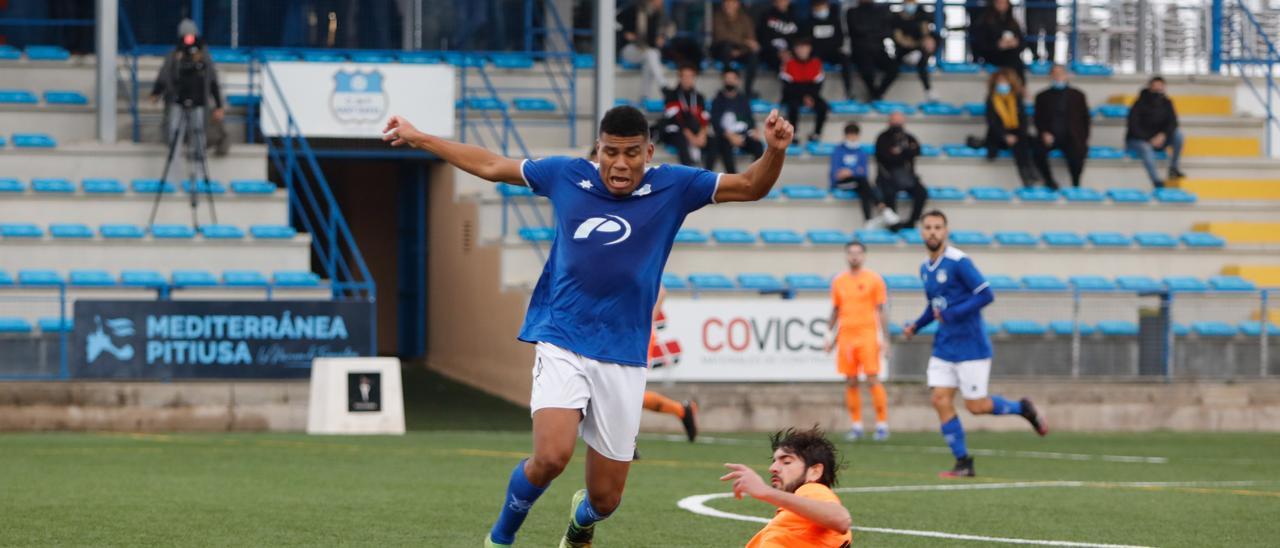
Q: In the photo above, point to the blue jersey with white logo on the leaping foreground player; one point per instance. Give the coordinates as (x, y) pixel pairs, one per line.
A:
(597, 293)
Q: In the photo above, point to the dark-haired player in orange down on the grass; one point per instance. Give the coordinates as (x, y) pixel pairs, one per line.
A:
(801, 478)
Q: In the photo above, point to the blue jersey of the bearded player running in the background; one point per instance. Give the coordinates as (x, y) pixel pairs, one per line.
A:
(949, 282)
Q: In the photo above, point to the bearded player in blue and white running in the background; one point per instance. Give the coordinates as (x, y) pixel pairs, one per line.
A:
(962, 351)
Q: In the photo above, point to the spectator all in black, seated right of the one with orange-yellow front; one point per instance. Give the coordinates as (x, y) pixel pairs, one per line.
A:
(1062, 122)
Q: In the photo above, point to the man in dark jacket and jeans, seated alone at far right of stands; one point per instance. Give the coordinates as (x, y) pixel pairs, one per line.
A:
(1154, 126)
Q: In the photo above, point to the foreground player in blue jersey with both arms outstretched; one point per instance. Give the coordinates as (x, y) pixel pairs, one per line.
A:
(592, 312)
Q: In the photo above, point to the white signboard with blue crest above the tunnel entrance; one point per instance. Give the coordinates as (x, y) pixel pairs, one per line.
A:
(355, 101)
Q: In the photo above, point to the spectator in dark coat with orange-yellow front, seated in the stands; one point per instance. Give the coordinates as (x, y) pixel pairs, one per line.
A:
(1007, 124)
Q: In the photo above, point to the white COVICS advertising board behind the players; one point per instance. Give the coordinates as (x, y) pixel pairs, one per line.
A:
(748, 340)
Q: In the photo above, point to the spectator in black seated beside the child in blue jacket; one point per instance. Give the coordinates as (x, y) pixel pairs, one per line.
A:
(897, 152)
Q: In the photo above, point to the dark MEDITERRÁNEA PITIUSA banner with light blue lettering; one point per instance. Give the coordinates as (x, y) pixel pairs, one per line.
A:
(161, 340)
